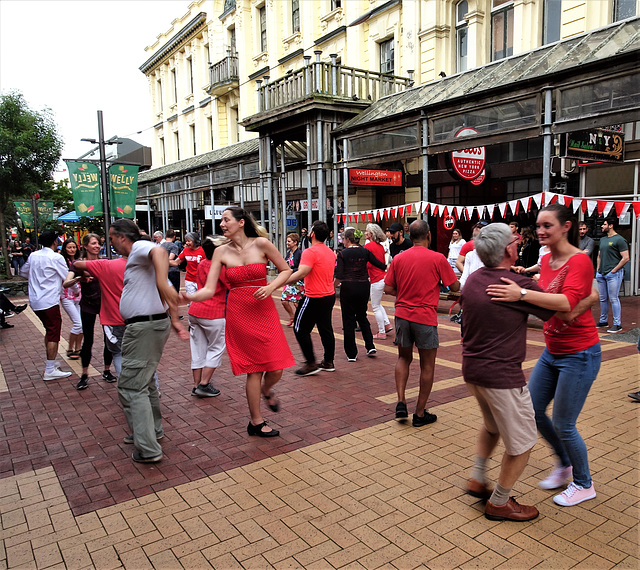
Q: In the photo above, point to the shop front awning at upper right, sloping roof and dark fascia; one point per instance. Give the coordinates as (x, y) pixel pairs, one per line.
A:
(594, 79)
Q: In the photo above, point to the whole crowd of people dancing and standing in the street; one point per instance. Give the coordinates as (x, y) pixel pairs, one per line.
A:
(231, 308)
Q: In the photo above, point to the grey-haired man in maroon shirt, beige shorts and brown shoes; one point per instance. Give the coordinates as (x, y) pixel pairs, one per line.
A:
(493, 349)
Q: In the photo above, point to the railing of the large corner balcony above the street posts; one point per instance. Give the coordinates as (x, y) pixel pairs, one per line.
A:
(330, 79)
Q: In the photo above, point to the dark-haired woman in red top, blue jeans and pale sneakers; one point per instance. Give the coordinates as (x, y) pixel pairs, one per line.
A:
(571, 361)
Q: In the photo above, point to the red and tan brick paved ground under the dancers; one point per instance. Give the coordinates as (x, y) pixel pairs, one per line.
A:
(345, 485)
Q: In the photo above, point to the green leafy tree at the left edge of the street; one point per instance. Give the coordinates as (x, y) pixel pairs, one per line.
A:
(30, 149)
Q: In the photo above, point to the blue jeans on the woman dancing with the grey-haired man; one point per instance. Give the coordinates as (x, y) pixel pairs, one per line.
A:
(566, 379)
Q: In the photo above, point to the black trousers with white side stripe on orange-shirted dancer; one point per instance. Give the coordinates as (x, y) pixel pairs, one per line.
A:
(315, 312)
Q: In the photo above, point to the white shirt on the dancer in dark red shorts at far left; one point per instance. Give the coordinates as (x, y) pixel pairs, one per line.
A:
(46, 270)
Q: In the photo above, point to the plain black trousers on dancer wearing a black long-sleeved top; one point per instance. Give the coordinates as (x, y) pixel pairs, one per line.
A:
(354, 298)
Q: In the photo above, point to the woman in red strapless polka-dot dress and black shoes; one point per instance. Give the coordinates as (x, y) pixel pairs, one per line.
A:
(256, 344)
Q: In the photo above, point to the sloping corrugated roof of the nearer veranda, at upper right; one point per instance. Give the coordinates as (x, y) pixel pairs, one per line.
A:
(613, 40)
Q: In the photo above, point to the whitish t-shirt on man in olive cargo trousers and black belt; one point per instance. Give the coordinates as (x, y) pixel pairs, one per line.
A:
(140, 295)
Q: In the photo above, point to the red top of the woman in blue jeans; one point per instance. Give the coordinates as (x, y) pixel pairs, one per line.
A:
(574, 280)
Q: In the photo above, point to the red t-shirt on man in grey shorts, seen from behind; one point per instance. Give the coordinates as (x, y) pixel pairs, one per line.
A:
(416, 276)
